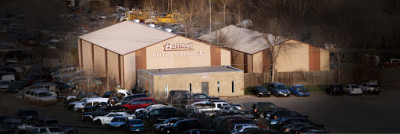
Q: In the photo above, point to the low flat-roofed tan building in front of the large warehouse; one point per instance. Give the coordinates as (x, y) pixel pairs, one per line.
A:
(214, 81)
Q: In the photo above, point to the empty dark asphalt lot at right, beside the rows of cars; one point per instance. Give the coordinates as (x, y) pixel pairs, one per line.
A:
(342, 114)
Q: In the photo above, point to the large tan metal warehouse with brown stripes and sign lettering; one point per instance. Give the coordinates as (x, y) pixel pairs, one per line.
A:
(118, 51)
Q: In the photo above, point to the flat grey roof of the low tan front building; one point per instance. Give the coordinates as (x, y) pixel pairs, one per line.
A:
(191, 70)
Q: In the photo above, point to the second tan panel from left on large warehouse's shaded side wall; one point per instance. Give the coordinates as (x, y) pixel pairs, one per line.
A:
(99, 61)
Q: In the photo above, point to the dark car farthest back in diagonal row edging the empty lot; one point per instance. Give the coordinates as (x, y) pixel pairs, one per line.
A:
(261, 108)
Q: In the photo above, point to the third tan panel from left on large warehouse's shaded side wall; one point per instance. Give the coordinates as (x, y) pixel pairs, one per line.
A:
(113, 65)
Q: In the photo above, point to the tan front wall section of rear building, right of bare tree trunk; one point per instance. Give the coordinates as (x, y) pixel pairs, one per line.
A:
(293, 56)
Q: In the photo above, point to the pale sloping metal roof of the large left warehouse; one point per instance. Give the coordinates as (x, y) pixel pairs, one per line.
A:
(126, 37)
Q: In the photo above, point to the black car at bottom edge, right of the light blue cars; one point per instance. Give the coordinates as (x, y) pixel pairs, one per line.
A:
(183, 125)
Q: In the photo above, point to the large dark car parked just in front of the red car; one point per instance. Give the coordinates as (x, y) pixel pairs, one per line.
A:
(161, 114)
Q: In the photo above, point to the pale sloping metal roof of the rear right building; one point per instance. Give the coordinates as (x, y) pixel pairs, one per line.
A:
(242, 39)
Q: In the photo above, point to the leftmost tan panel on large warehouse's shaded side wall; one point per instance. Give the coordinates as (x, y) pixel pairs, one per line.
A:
(87, 56)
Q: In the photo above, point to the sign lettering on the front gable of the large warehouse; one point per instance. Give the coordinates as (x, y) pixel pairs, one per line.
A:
(178, 49)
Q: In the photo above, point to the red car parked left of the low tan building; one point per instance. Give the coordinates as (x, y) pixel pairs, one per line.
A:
(139, 103)
